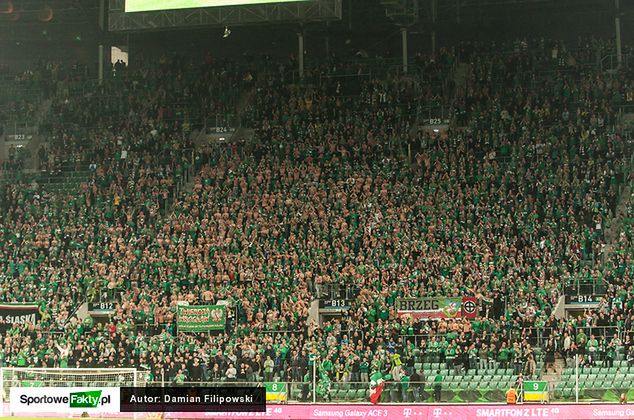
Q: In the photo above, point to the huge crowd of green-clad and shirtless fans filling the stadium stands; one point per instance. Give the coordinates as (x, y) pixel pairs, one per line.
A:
(510, 202)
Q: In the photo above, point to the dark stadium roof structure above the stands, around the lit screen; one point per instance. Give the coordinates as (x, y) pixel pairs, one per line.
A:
(371, 21)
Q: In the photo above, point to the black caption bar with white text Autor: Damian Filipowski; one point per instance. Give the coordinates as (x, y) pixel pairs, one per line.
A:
(193, 399)
